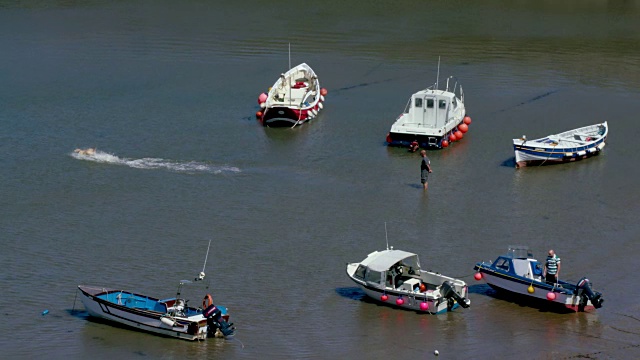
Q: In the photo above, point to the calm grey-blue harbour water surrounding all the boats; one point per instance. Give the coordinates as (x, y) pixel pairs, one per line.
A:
(167, 91)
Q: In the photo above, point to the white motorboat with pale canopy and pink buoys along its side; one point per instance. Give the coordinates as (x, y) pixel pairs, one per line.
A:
(395, 278)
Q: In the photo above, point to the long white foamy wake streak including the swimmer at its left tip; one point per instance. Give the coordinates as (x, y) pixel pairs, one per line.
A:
(156, 163)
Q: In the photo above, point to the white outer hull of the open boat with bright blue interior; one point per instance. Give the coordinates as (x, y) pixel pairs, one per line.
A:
(192, 328)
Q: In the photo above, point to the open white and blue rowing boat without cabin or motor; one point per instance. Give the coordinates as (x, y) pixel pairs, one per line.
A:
(572, 145)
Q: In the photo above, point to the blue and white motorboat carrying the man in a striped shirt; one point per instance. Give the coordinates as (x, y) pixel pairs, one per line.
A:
(518, 273)
